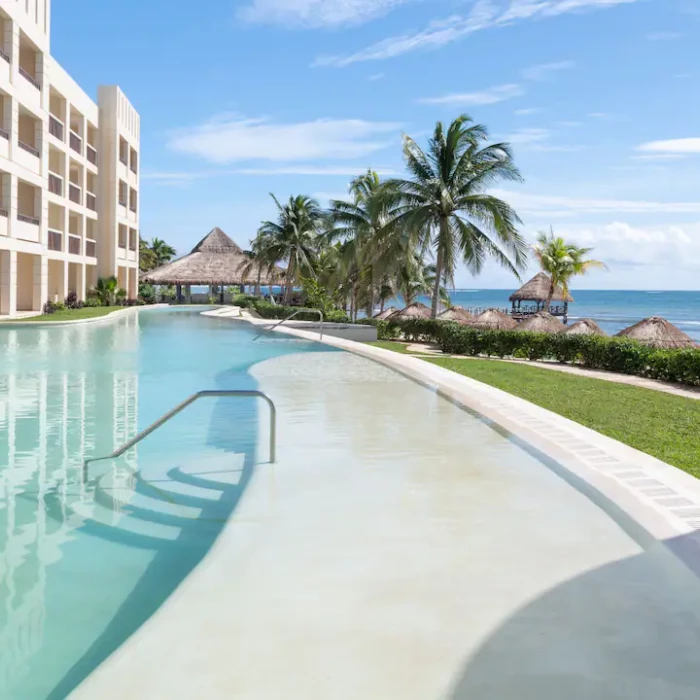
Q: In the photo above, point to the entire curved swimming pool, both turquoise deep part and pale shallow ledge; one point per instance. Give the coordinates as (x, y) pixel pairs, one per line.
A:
(401, 547)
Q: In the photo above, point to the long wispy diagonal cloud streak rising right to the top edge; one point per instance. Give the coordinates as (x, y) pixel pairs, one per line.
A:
(485, 14)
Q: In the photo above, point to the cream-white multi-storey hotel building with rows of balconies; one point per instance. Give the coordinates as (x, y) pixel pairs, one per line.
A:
(66, 162)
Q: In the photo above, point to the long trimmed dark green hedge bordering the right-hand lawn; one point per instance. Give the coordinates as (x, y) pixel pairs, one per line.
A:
(619, 355)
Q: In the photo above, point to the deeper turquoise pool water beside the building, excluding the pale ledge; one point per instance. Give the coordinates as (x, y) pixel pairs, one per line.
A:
(84, 563)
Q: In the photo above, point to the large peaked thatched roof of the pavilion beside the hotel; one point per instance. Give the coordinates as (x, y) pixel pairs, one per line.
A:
(215, 260)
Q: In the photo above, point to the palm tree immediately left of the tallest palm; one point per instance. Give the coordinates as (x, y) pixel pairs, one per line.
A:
(366, 225)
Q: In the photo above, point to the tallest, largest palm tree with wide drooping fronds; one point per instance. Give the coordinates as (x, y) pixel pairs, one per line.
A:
(445, 205)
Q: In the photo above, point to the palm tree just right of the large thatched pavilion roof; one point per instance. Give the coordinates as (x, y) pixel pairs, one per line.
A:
(293, 238)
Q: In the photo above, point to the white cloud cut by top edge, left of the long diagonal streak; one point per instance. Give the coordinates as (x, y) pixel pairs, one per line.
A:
(316, 13)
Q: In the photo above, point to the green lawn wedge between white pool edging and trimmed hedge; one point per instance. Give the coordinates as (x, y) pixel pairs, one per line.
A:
(662, 425)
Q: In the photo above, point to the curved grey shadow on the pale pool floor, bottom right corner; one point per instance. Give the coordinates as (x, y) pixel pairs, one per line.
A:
(626, 631)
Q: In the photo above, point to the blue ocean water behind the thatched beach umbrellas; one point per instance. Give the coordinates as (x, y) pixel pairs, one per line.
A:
(611, 310)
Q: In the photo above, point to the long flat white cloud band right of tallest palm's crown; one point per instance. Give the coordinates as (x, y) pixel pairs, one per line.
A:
(551, 205)
